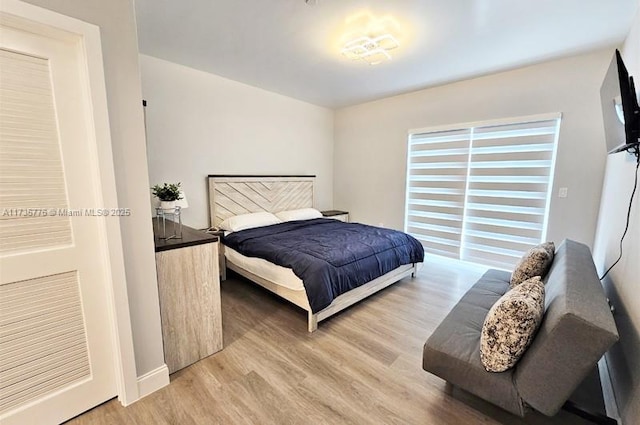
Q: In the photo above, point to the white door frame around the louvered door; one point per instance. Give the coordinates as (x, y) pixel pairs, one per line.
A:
(42, 21)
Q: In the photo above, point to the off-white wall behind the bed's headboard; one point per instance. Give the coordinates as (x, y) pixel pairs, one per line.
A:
(199, 124)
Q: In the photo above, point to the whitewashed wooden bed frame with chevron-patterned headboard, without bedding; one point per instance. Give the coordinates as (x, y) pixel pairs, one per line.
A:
(233, 195)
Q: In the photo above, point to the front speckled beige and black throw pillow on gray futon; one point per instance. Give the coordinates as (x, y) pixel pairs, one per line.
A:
(511, 324)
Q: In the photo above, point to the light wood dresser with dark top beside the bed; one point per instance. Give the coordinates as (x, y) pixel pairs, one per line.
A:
(189, 290)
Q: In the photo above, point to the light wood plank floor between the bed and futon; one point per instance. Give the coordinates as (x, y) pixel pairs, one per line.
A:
(362, 366)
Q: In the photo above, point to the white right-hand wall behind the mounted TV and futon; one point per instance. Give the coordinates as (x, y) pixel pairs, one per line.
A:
(623, 282)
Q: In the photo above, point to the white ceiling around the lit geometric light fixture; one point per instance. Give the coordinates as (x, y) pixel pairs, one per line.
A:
(292, 48)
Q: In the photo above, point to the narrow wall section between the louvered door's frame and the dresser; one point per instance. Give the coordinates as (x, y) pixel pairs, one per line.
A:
(120, 51)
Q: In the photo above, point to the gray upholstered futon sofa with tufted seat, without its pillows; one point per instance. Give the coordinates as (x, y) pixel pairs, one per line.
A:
(577, 329)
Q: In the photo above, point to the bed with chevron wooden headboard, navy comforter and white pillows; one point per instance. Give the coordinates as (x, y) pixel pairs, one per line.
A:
(336, 264)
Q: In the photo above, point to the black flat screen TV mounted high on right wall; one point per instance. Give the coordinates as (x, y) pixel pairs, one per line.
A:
(620, 109)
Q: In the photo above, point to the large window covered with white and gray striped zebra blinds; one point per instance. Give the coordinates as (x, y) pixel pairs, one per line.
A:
(481, 192)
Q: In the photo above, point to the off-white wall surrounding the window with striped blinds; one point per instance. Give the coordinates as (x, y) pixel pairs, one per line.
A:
(371, 139)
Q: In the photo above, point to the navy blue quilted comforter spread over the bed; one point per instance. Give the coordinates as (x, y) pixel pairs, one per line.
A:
(331, 257)
